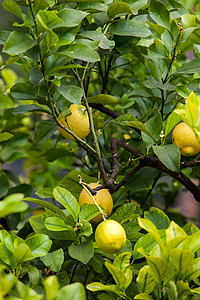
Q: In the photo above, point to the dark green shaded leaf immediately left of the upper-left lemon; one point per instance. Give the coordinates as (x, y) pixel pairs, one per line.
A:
(44, 130)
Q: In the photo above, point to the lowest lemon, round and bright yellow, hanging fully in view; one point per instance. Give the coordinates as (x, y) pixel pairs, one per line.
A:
(110, 236)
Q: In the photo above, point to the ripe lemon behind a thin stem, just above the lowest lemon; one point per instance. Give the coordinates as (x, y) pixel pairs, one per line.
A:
(102, 197)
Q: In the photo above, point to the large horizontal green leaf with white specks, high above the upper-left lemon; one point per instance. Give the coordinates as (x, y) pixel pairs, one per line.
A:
(82, 52)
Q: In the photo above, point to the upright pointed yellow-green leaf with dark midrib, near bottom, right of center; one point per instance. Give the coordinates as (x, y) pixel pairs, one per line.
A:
(145, 281)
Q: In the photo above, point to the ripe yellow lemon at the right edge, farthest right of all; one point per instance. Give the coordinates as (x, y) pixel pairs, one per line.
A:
(184, 137)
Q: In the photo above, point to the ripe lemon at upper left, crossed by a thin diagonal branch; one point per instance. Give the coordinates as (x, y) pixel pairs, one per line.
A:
(78, 122)
